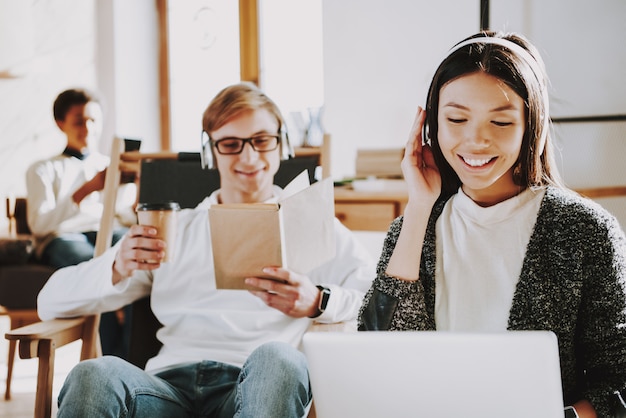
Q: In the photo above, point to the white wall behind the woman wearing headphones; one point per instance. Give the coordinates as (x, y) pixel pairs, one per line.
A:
(379, 57)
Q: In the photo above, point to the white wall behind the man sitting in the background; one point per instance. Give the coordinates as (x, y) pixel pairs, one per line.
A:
(110, 46)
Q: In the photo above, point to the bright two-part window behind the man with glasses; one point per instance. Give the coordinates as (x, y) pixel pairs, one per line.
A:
(204, 58)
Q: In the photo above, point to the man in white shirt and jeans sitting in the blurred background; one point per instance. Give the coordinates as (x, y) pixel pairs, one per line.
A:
(65, 199)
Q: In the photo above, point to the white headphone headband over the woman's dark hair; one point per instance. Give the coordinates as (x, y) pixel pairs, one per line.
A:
(529, 59)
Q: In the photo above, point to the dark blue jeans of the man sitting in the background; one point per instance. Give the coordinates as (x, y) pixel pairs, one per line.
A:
(73, 248)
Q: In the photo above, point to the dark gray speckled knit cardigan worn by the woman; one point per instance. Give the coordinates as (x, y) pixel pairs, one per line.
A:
(573, 282)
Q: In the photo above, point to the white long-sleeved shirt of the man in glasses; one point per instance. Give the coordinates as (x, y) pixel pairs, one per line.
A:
(199, 321)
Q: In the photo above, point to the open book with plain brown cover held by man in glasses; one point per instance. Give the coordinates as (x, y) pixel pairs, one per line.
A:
(296, 233)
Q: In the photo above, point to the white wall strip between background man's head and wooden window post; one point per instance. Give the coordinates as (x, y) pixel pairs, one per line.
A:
(127, 66)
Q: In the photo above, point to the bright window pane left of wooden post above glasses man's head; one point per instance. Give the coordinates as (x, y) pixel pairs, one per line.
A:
(204, 58)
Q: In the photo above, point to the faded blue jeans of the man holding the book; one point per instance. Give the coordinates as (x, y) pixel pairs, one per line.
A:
(273, 383)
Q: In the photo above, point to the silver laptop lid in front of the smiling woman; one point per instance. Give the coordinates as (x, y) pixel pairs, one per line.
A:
(434, 374)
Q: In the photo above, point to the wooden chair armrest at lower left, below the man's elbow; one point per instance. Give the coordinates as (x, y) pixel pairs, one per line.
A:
(59, 331)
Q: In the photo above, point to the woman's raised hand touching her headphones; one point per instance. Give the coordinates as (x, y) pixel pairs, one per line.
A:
(418, 166)
